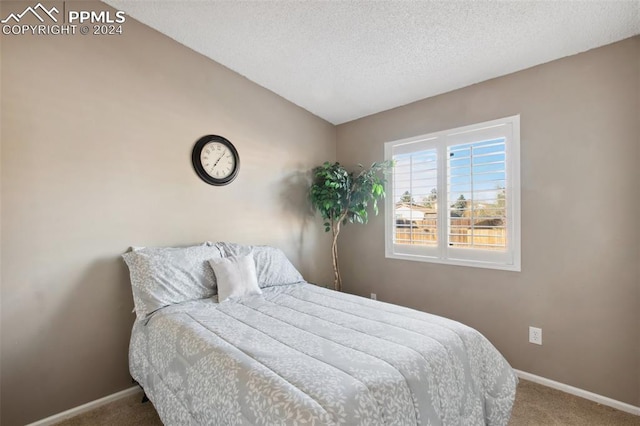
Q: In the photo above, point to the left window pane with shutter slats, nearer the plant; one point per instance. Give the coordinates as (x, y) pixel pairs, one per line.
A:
(415, 184)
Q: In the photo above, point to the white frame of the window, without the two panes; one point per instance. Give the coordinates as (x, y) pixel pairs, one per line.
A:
(509, 259)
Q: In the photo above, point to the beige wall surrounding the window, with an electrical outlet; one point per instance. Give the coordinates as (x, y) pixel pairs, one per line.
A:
(580, 280)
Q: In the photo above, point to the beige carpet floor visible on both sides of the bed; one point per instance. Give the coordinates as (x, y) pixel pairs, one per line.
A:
(535, 405)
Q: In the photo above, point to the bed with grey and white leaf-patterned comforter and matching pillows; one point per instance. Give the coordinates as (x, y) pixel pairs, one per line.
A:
(293, 353)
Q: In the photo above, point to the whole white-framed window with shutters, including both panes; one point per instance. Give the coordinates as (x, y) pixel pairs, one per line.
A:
(454, 196)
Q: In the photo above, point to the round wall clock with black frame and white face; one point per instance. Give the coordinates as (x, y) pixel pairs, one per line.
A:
(215, 160)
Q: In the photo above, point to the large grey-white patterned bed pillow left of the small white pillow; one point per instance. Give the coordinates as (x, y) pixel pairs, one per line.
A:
(163, 276)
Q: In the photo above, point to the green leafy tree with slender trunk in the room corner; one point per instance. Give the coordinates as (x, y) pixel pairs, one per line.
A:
(344, 197)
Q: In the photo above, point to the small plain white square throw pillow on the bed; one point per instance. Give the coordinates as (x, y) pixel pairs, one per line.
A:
(236, 277)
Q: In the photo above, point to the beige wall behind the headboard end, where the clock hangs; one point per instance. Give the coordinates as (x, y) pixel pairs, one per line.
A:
(97, 135)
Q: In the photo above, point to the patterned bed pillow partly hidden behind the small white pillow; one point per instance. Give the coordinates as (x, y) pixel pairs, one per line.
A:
(272, 266)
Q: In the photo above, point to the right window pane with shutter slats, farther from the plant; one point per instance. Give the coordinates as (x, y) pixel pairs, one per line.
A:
(476, 175)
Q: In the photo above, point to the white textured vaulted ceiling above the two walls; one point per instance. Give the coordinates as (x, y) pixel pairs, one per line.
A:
(343, 60)
